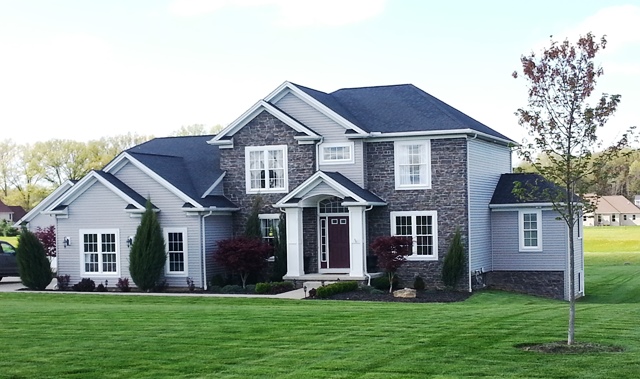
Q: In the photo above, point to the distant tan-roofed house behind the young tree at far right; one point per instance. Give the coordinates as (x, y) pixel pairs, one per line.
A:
(613, 211)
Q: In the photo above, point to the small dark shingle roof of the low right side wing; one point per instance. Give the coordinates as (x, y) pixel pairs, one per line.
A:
(534, 184)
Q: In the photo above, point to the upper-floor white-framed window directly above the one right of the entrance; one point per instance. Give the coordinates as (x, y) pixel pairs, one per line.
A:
(412, 164)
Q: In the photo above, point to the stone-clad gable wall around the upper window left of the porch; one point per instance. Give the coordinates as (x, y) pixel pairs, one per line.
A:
(263, 130)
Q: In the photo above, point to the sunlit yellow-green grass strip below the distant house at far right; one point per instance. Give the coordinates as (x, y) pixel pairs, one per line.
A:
(612, 238)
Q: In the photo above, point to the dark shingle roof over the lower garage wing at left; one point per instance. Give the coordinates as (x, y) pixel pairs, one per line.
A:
(188, 163)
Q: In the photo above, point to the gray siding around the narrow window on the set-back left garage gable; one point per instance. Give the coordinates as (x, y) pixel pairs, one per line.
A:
(171, 215)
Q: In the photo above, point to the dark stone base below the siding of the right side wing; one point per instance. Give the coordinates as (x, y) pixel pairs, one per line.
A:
(540, 283)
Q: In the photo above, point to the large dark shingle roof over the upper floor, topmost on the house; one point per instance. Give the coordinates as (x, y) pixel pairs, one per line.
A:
(396, 108)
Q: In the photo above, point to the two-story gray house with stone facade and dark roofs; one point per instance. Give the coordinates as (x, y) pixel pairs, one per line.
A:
(345, 168)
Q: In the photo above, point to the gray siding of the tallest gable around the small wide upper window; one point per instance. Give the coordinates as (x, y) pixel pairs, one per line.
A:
(331, 131)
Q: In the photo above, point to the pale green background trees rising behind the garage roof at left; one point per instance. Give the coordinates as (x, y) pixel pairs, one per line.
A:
(29, 172)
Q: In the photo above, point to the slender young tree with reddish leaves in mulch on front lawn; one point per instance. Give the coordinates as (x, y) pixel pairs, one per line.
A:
(563, 125)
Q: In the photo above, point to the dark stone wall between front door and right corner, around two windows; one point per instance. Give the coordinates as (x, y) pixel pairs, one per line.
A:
(447, 196)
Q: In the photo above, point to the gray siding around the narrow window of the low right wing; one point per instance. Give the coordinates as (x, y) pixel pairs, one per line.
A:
(505, 238)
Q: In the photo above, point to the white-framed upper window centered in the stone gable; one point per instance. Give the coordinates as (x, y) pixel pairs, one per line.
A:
(266, 169)
